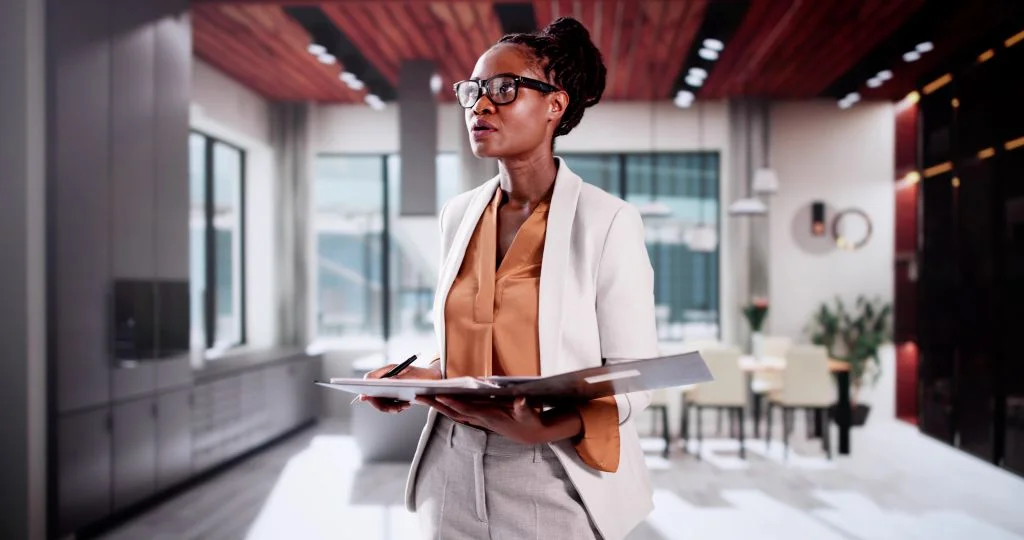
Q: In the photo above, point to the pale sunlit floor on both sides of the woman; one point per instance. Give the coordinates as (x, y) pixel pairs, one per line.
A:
(898, 485)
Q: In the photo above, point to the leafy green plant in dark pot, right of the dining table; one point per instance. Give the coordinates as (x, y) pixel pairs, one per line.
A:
(855, 337)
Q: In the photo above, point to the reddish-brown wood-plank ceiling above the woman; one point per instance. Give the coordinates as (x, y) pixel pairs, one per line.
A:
(783, 50)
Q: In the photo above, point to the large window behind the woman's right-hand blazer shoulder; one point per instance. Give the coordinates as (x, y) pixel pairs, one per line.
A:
(676, 193)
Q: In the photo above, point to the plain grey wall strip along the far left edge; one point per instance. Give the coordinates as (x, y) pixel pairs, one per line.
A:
(23, 347)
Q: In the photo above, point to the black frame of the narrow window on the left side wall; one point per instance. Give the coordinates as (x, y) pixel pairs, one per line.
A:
(210, 244)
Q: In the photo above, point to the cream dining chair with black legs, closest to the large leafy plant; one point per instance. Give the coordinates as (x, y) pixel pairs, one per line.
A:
(807, 384)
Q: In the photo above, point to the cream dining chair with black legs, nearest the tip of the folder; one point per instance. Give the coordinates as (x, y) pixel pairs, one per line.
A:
(728, 392)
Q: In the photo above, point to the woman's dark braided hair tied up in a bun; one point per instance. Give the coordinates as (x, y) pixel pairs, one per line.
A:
(571, 61)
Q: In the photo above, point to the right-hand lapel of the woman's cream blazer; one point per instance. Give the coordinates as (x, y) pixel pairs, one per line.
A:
(554, 270)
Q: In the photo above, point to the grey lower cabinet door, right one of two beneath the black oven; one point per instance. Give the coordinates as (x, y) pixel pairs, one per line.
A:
(175, 446)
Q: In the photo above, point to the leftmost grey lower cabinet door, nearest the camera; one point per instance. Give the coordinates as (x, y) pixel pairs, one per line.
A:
(83, 469)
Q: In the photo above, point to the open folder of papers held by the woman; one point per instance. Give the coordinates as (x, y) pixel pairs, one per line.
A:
(575, 387)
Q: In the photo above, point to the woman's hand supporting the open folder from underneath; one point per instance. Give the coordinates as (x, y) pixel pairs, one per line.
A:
(516, 420)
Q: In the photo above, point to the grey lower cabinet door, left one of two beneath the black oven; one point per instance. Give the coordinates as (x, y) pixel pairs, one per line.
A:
(135, 451)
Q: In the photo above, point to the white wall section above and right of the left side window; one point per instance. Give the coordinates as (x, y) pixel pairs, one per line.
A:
(227, 110)
